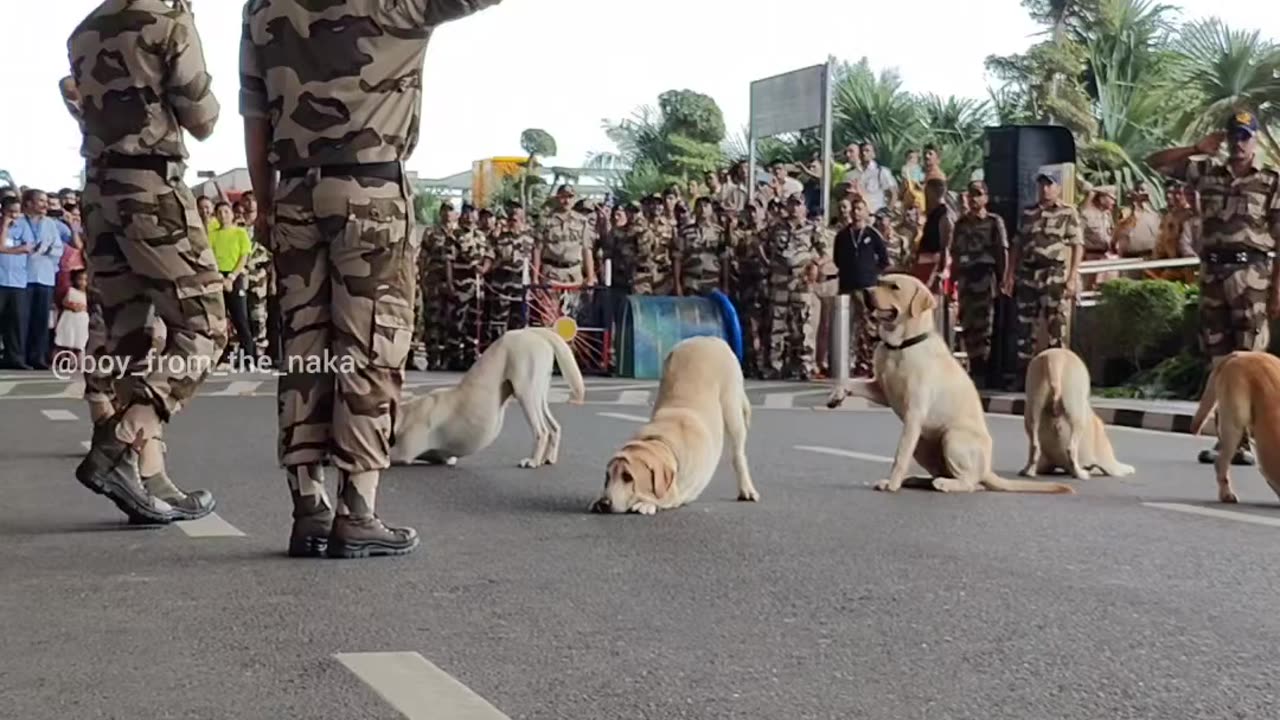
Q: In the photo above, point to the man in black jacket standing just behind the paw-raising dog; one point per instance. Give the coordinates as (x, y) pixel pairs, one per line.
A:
(861, 256)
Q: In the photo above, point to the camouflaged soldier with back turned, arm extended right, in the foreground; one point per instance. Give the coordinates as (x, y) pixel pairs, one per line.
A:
(331, 95)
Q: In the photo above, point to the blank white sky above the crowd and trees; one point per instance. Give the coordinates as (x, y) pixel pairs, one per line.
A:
(563, 66)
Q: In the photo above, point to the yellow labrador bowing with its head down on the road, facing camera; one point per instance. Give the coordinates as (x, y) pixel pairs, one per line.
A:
(671, 461)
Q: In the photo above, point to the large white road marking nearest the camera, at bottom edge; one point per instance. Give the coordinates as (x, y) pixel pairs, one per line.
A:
(417, 689)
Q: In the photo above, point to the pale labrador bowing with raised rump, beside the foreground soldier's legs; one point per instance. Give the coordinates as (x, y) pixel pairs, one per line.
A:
(450, 423)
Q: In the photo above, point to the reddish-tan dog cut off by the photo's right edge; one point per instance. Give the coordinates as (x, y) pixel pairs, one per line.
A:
(1245, 389)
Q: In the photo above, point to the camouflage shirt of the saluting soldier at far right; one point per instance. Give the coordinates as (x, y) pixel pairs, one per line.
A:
(1237, 212)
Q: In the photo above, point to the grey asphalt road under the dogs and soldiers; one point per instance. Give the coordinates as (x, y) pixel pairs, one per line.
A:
(824, 601)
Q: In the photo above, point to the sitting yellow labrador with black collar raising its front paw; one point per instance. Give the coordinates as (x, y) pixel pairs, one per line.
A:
(944, 427)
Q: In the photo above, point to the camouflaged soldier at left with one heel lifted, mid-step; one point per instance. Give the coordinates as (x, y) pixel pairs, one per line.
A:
(147, 247)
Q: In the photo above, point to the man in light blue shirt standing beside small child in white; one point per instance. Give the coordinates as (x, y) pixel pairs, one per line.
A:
(45, 238)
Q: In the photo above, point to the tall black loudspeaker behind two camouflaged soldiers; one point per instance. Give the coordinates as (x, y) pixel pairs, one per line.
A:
(1014, 157)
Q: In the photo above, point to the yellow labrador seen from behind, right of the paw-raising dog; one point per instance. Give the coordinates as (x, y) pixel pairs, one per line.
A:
(1063, 431)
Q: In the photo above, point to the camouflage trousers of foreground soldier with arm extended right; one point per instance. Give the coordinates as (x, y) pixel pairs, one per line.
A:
(345, 253)
